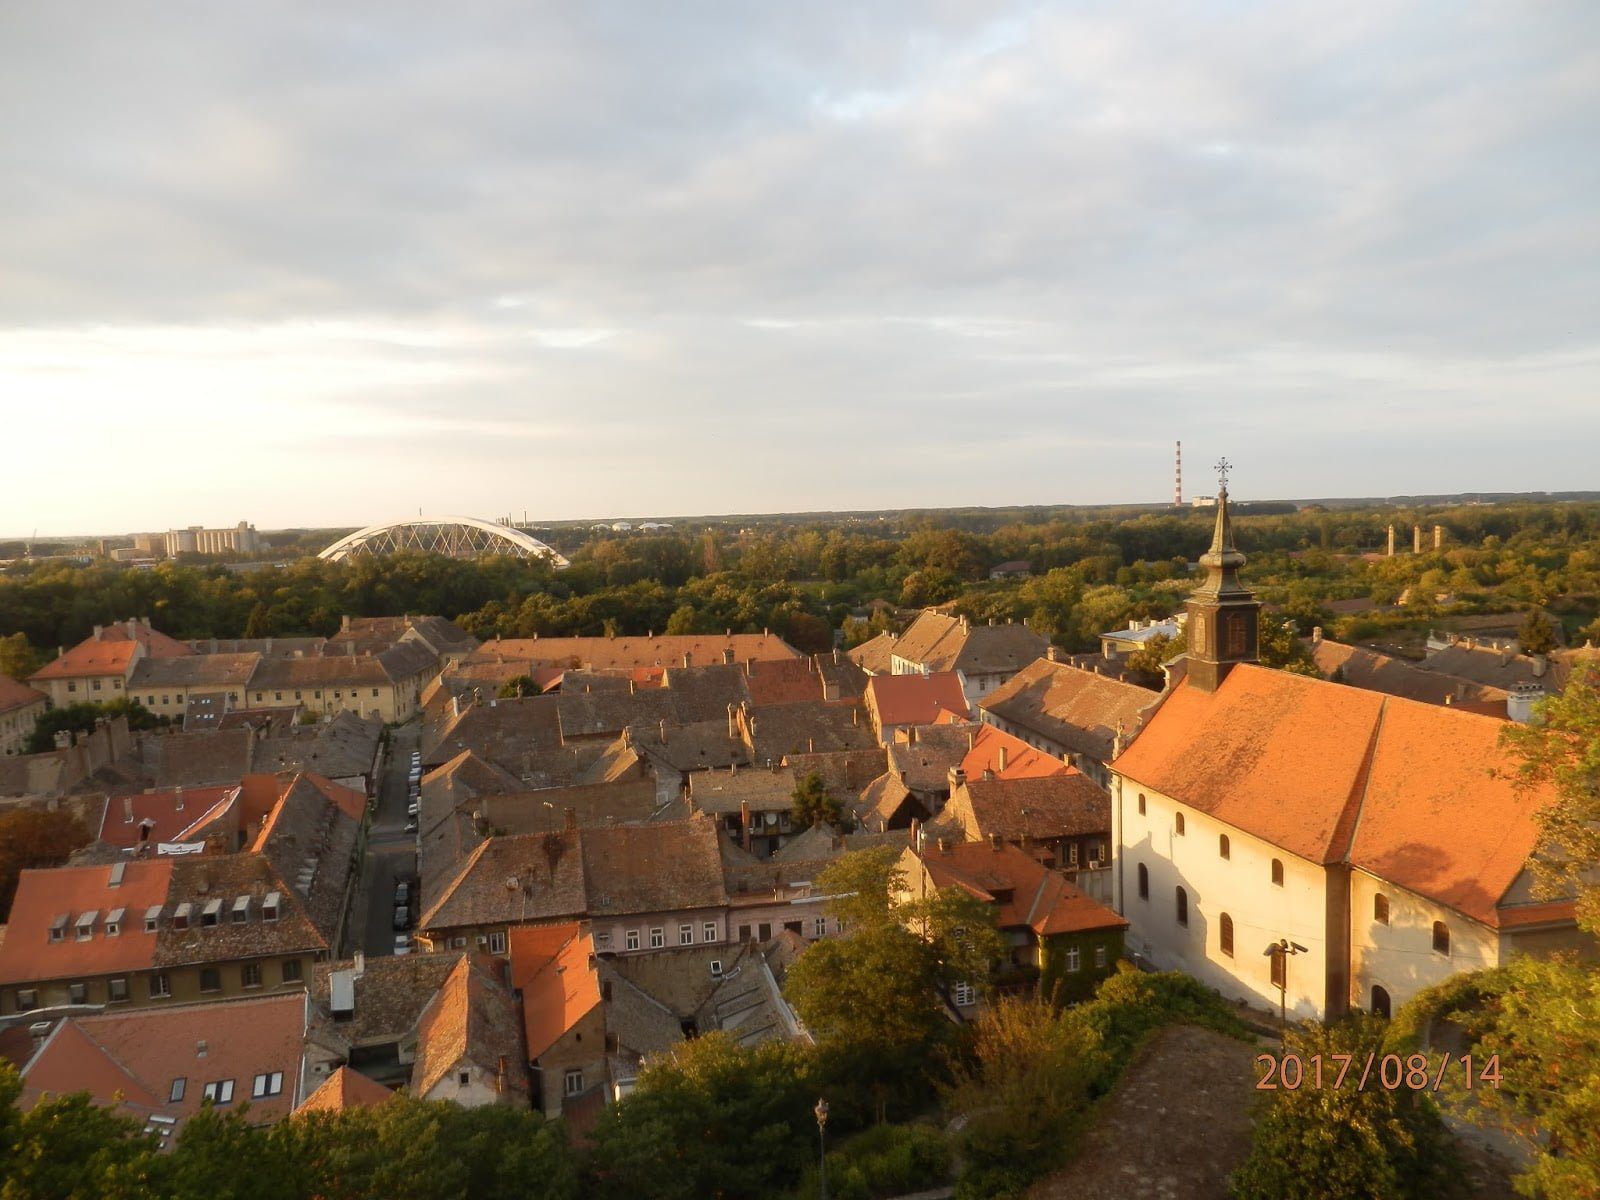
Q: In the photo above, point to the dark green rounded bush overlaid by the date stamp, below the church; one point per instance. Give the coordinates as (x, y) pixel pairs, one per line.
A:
(1346, 1143)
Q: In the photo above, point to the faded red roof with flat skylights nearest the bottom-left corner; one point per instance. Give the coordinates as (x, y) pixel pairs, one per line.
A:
(161, 1066)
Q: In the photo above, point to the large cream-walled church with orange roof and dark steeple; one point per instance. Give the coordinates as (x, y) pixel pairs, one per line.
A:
(1302, 842)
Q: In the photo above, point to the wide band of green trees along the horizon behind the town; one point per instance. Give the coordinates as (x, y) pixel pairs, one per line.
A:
(806, 582)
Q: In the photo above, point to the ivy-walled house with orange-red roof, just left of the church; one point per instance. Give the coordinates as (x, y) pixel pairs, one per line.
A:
(1060, 942)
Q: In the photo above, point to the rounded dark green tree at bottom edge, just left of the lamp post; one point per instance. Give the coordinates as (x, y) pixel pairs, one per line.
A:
(711, 1119)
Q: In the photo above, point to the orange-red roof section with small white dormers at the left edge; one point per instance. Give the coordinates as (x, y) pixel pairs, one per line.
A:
(44, 897)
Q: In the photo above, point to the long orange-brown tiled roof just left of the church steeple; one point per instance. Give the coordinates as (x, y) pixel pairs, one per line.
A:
(1071, 706)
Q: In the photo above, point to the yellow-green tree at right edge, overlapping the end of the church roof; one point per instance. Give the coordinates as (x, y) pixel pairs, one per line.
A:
(1561, 750)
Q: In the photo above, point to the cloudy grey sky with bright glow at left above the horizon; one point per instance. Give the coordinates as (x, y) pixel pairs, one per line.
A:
(330, 263)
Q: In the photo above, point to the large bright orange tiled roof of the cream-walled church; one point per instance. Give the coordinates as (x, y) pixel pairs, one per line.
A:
(1398, 788)
